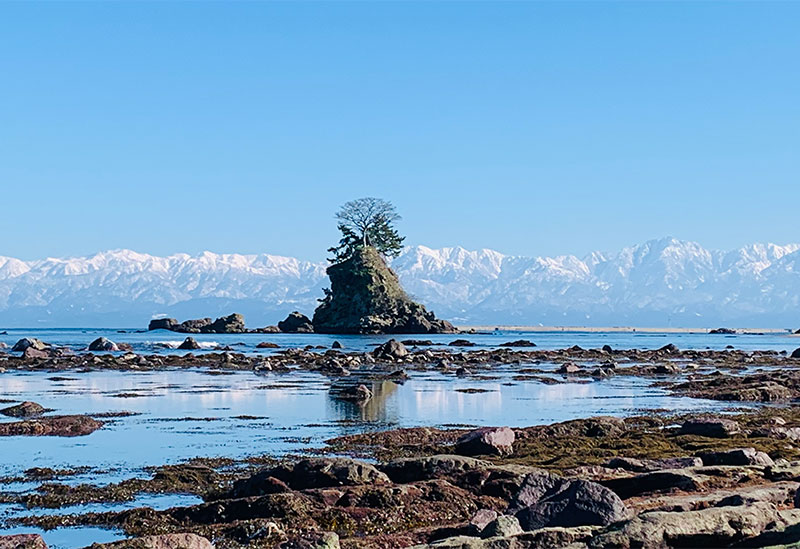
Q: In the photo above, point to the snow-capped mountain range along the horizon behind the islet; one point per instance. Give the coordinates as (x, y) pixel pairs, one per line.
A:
(664, 282)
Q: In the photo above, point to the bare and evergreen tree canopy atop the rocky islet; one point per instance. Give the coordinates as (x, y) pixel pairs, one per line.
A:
(367, 222)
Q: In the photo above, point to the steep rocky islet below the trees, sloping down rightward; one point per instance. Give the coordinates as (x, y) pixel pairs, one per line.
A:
(366, 298)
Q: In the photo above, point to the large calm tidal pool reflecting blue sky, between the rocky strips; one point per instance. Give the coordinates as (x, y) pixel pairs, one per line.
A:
(187, 413)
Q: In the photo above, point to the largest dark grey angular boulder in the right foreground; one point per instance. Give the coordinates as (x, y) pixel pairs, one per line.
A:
(548, 500)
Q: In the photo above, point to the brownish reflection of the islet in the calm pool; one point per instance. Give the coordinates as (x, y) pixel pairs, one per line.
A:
(374, 410)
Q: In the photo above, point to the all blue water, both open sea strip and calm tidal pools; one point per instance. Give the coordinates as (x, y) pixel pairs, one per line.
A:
(181, 414)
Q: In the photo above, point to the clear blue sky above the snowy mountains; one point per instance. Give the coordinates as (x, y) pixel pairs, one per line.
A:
(530, 128)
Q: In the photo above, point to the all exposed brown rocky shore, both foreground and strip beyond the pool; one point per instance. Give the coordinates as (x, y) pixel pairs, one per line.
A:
(646, 481)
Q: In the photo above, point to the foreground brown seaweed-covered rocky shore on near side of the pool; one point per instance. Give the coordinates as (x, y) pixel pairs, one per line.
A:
(647, 482)
